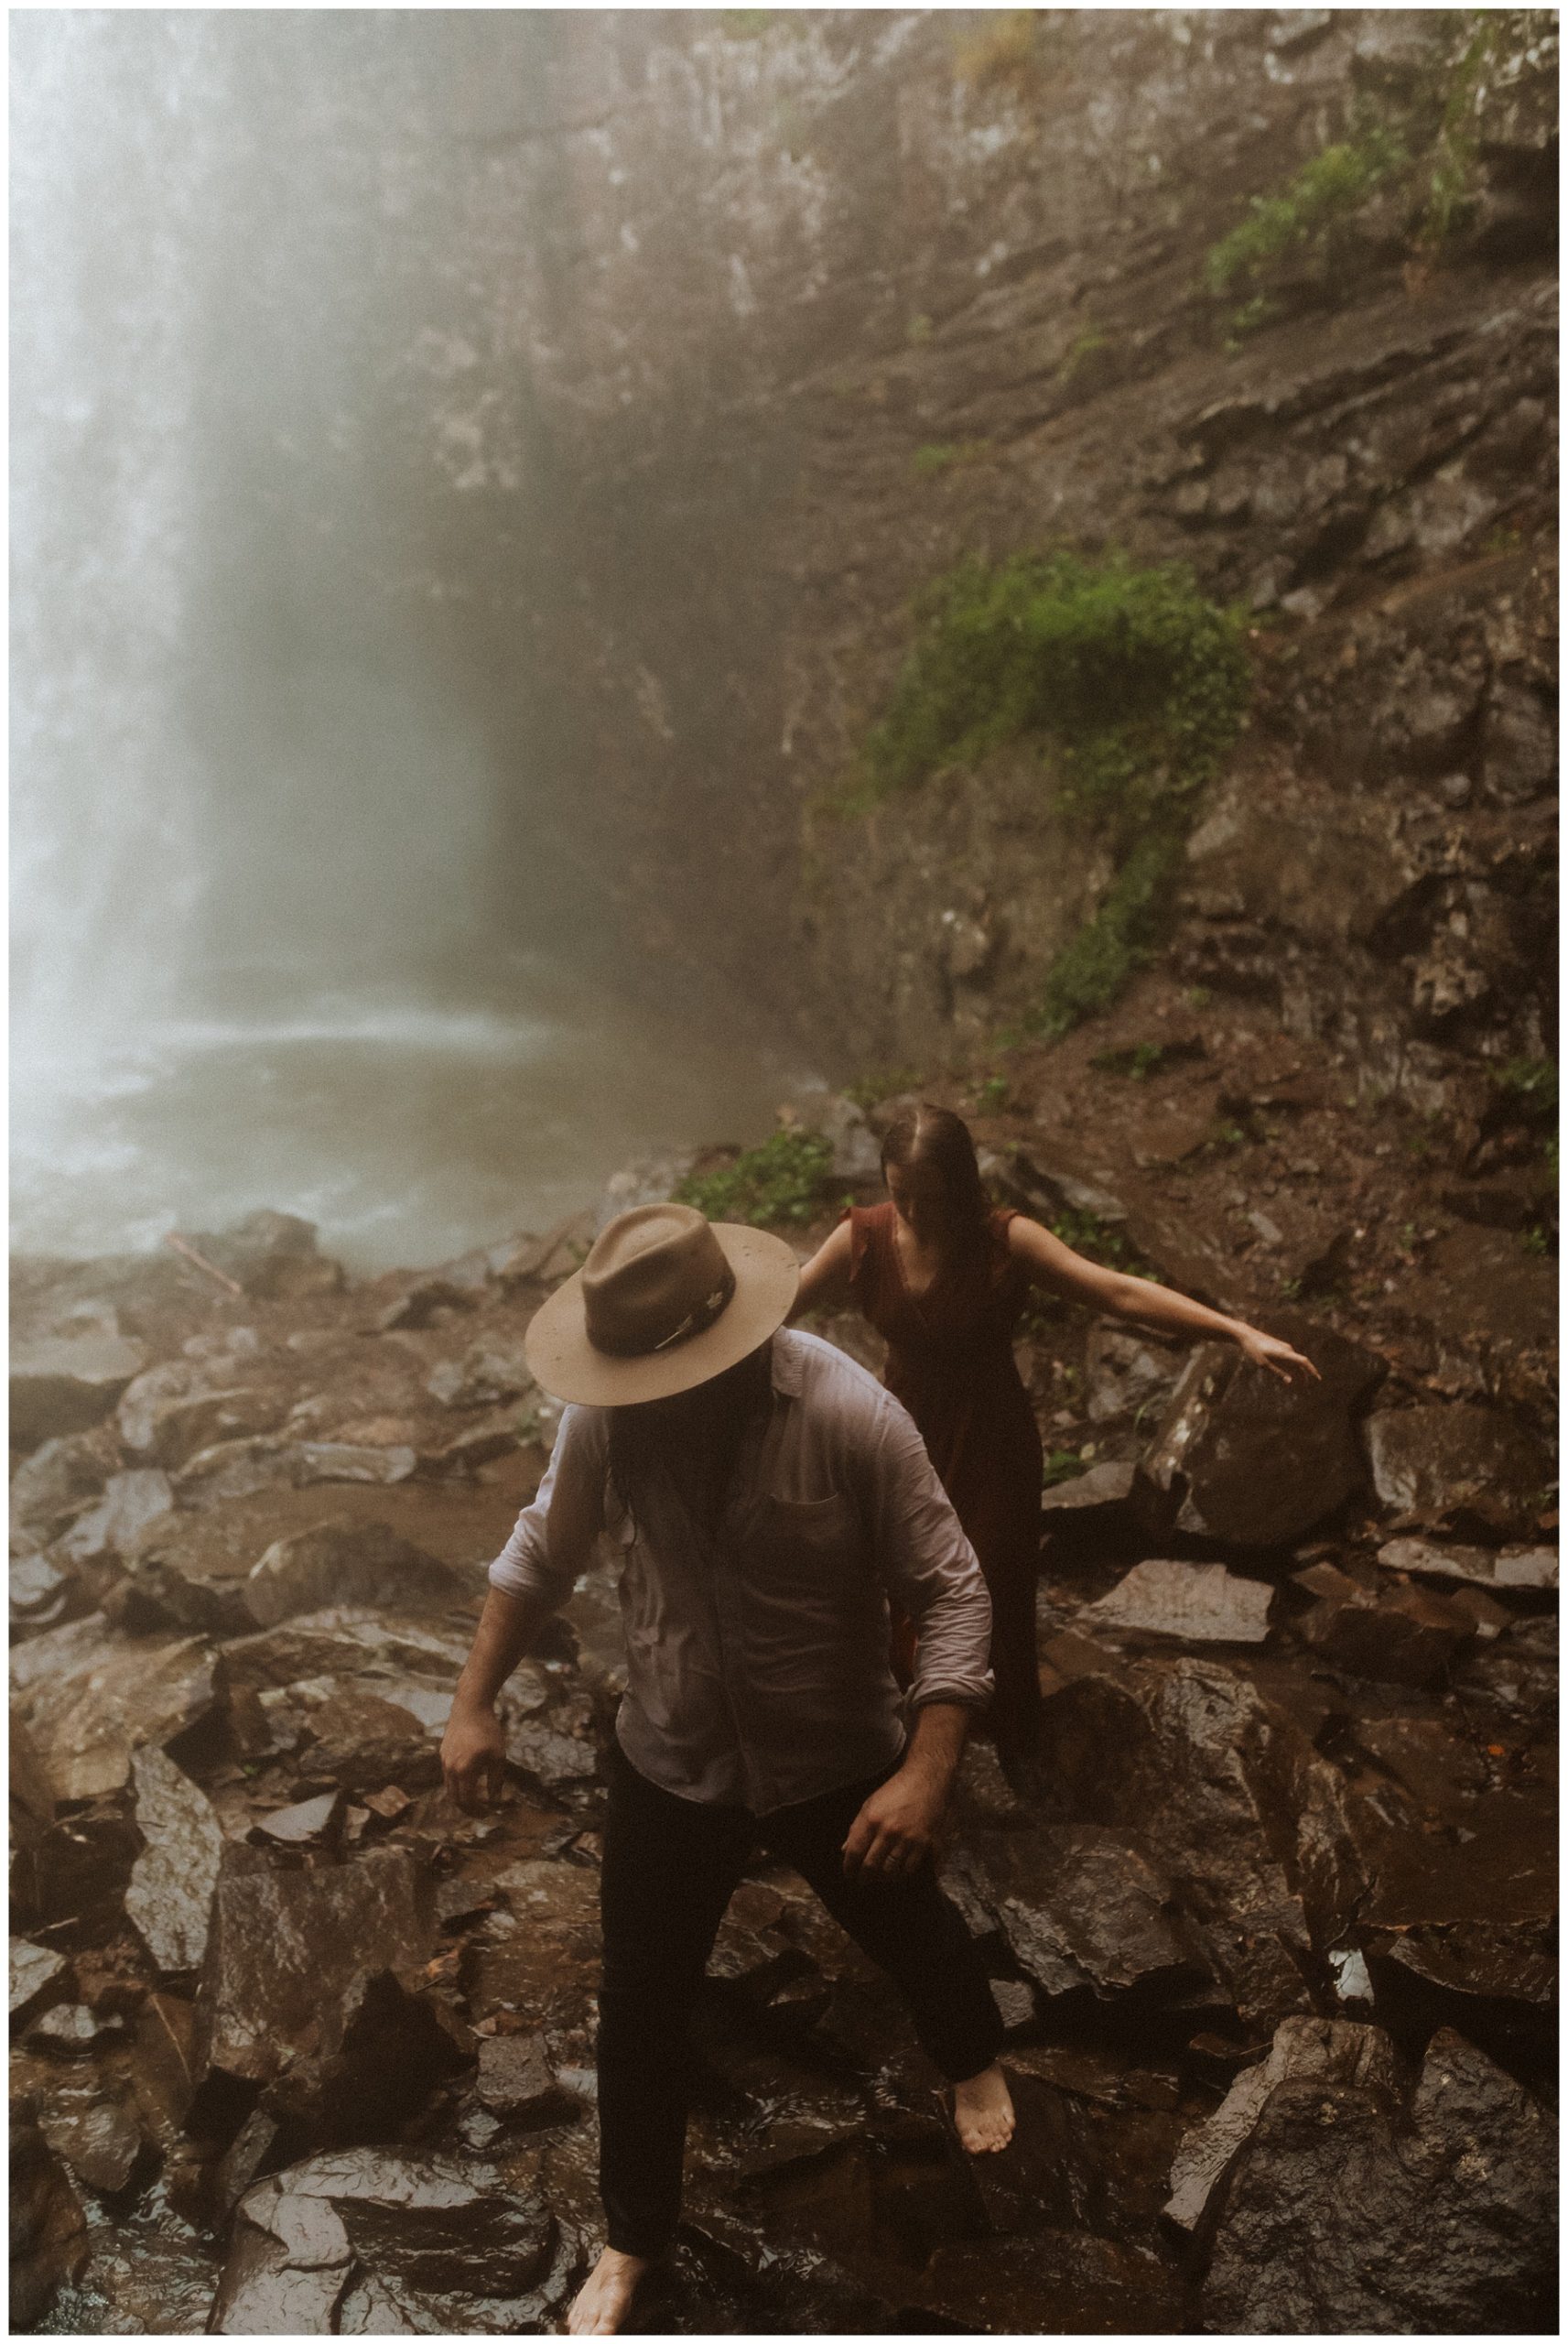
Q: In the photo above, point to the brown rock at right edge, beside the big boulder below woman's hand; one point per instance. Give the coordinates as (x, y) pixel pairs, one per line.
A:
(1466, 1469)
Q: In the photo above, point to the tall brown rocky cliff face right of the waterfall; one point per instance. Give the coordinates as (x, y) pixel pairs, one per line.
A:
(812, 306)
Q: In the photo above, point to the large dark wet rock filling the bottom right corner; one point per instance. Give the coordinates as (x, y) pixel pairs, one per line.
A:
(1351, 2216)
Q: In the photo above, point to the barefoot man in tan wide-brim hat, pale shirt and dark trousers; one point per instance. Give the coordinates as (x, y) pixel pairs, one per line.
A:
(768, 1497)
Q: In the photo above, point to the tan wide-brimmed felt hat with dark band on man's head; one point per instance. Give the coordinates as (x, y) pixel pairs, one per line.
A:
(664, 1302)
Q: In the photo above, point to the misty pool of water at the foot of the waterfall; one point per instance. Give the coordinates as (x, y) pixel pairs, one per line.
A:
(407, 1131)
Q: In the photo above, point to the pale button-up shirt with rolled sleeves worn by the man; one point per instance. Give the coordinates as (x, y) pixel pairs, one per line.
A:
(758, 1656)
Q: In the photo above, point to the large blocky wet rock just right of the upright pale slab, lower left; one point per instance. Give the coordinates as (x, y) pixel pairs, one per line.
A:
(287, 1949)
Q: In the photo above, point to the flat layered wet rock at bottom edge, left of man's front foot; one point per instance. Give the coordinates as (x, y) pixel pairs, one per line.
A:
(381, 2244)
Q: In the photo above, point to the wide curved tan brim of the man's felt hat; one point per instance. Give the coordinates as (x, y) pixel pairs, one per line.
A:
(566, 1363)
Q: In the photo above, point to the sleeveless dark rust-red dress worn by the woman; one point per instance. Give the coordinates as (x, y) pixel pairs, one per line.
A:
(950, 1361)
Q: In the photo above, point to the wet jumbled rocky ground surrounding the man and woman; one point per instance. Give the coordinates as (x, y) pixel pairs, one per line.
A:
(313, 2052)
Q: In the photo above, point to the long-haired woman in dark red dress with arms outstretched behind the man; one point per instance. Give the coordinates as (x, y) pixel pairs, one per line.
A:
(943, 1279)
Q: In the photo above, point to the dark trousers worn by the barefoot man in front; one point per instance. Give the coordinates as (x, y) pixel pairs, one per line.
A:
(669, 1872)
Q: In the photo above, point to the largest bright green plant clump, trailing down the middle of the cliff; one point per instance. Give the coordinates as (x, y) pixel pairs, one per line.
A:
(1136, 679)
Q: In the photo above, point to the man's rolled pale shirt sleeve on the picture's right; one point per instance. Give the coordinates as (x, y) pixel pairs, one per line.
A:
(929, 1569)
